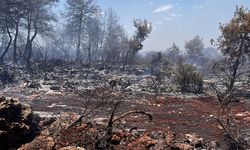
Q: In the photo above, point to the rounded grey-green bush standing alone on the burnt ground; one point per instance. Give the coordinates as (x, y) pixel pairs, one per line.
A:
(188, 79)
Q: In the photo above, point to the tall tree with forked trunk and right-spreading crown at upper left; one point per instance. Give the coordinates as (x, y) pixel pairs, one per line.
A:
(38, 19)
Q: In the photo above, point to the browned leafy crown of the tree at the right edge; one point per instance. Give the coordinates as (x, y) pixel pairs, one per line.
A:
(235, 39)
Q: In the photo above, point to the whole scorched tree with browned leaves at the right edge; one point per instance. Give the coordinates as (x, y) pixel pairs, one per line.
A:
(234, 44)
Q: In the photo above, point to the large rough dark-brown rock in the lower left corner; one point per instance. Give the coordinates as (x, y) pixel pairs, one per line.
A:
(18, 125)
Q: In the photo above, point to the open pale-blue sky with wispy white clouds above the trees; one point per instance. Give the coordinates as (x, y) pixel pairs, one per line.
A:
(175, 20)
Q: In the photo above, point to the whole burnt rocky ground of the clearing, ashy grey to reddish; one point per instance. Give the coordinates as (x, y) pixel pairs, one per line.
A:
(180, 120)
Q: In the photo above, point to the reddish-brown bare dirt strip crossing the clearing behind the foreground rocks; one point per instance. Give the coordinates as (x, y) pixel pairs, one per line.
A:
(197, 115)
